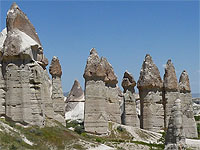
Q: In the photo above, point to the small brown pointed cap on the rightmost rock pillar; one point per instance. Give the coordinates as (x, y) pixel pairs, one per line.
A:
(184, 82)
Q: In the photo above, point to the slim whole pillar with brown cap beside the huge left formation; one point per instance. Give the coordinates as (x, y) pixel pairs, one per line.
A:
(57, 93)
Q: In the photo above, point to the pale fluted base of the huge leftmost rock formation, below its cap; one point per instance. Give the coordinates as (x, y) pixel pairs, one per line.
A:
(27, 98)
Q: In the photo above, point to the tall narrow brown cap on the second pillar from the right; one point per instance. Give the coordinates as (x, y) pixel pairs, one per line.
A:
(170, 79)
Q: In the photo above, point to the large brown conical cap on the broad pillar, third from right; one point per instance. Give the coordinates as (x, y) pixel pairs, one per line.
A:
(149, 75)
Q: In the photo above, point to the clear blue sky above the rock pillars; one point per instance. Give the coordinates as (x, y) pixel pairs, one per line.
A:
(122, 31)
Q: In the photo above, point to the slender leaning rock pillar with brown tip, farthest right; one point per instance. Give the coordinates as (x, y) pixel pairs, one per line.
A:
(189, 123)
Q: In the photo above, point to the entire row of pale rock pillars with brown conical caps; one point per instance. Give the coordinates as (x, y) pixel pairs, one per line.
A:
(30, 97)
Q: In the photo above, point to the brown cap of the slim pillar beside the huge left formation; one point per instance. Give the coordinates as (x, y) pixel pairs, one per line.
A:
(55, 67)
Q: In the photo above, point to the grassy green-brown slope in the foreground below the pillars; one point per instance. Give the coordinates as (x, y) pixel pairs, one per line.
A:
(60, 137)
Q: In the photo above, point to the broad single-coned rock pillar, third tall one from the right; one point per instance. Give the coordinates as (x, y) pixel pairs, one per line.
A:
(150, 91)
